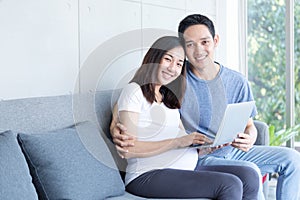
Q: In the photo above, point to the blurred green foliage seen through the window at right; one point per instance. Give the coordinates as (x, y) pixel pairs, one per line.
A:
(266, 64)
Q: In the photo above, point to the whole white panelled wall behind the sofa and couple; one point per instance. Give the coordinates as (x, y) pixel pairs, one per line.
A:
(63, 46)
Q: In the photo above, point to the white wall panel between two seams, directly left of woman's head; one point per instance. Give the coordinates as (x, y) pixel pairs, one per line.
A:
(105, 29)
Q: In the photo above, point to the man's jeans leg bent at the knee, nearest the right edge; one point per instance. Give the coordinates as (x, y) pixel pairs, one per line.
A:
(282, 160)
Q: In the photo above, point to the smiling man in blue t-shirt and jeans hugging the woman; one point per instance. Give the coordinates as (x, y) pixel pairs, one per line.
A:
(210, 87)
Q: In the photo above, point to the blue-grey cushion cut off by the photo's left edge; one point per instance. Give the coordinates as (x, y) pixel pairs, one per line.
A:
(15, 181)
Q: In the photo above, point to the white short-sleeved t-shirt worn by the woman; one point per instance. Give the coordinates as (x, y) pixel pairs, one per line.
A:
(156, 122)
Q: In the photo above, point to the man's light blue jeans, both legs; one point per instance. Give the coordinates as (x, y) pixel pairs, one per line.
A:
(266, 159)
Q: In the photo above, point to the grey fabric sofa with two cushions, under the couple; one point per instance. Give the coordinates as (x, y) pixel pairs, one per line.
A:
(63, 149)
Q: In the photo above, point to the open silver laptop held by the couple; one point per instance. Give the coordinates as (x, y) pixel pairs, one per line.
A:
(234, 121)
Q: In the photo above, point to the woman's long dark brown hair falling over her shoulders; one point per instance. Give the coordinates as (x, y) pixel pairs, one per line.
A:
(146, 75)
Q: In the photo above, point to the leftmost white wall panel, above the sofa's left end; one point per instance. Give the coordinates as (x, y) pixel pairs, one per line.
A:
(38, 48)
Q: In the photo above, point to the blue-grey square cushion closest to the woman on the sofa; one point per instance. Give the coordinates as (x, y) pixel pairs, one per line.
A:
(72, 163)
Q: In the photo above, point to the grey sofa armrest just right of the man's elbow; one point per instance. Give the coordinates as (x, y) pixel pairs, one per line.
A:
(262, 133)
